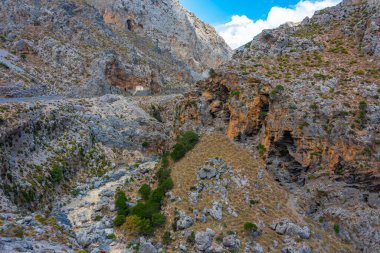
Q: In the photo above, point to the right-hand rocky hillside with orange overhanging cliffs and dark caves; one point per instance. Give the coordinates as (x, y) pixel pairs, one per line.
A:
(306, 99)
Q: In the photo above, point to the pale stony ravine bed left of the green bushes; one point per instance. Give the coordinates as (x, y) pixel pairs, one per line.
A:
(91, 214)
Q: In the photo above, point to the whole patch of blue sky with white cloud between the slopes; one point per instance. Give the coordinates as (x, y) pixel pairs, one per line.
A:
(238, 21)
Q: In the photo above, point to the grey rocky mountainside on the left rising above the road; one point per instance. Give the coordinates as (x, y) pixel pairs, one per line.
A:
(88, 48)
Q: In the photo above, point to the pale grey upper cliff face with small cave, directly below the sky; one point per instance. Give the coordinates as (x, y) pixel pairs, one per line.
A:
(171, 27)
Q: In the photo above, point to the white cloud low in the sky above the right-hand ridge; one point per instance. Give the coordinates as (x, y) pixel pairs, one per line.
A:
(241, 29)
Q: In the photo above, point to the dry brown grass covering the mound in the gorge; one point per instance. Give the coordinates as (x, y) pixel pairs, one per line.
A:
(270, 195)
